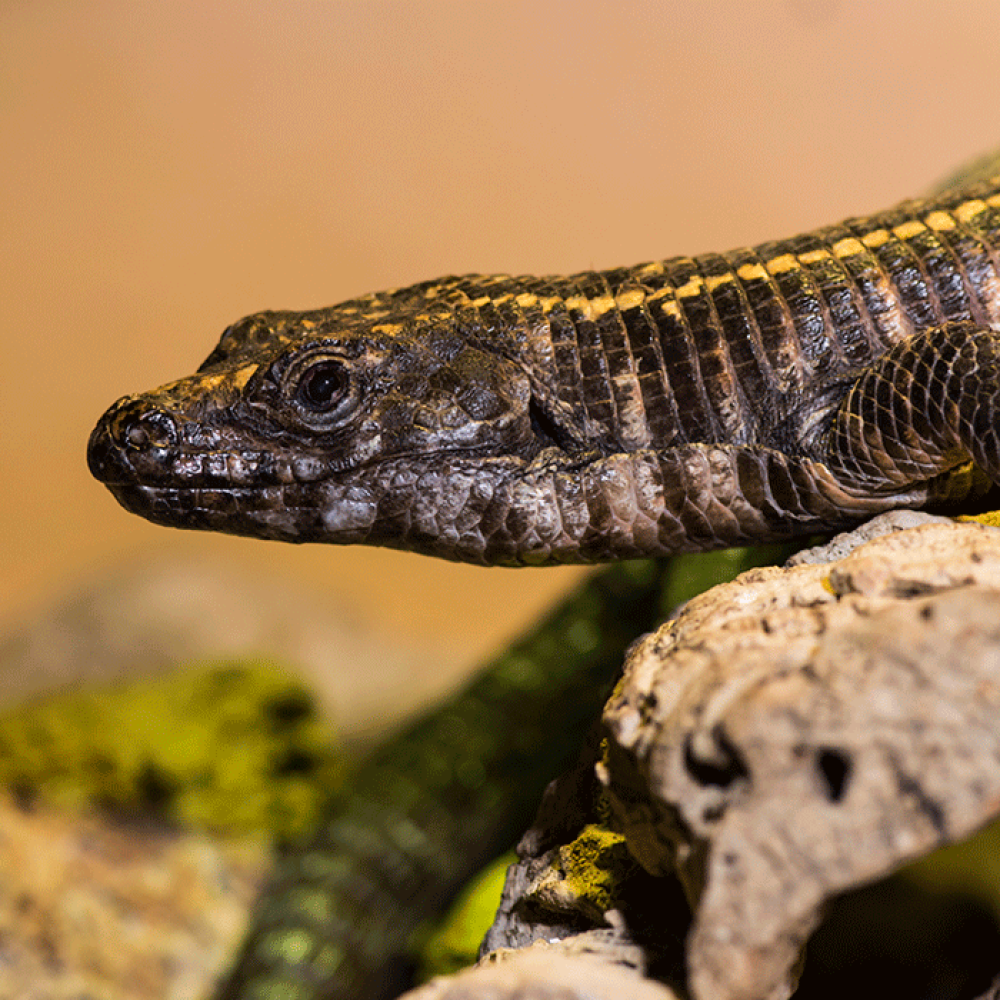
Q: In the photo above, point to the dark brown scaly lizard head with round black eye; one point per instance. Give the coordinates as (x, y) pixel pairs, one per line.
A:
(352, 424)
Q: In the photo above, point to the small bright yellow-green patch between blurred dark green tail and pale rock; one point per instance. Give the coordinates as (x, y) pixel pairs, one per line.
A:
(454, 944)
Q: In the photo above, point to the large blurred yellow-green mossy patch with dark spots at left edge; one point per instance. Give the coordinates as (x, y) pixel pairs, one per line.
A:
(236, 747)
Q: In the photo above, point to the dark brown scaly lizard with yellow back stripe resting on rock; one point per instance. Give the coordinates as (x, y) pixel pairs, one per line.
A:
(796, 387)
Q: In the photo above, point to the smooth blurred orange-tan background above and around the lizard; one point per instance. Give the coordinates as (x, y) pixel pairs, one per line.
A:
(167, 168)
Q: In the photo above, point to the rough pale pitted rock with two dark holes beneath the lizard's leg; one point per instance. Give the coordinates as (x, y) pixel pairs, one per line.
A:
(800, 732)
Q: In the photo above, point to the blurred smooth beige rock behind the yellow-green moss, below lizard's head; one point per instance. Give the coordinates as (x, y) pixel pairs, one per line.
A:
(148, 617)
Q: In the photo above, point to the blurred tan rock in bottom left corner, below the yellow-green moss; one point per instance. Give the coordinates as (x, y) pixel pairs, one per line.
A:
(94, 910)
